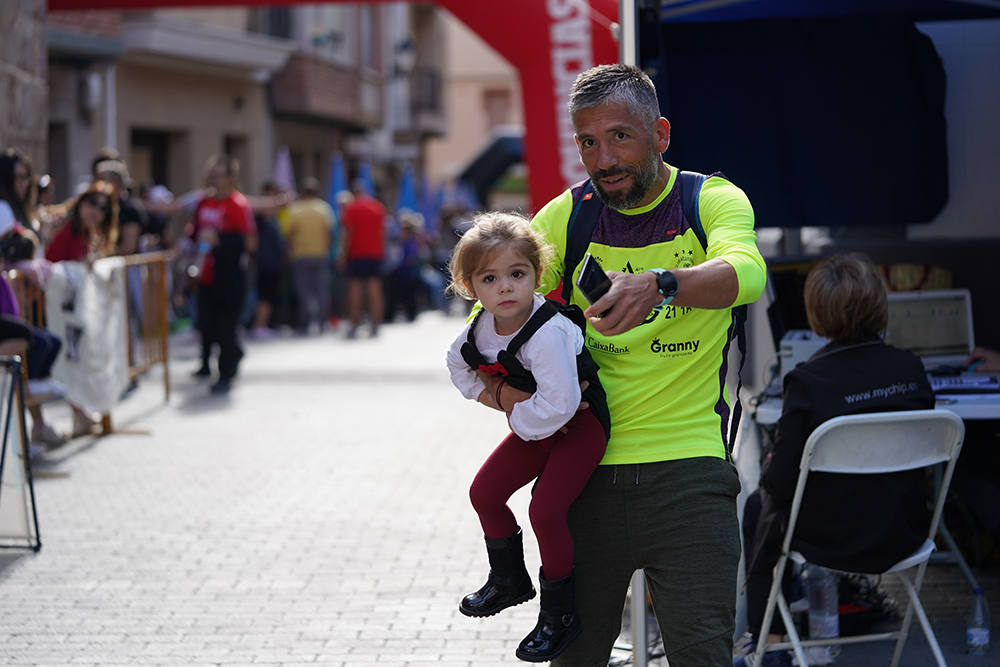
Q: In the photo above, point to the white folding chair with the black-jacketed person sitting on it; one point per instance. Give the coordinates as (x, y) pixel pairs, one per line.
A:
(879, 442)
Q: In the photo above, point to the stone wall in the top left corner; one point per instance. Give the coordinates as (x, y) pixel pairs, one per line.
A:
(23, 87)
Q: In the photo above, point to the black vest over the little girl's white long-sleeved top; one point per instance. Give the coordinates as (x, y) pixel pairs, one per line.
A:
(521, 378)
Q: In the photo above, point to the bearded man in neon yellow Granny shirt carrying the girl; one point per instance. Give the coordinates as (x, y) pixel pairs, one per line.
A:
(664, 497)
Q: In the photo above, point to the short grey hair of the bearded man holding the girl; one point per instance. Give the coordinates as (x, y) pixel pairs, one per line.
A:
(616, 83)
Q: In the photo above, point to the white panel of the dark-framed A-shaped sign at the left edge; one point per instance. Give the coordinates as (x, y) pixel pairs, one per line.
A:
(17, 524)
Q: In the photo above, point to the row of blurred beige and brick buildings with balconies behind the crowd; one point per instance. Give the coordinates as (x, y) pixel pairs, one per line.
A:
(170, 87)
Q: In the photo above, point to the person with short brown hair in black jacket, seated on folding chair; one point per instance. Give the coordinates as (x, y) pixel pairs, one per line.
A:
(883, 517)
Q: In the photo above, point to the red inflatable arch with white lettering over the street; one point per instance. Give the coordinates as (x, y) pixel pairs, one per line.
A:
(548, 41)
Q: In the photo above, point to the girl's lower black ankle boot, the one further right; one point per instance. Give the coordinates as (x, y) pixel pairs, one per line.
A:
(558, 624)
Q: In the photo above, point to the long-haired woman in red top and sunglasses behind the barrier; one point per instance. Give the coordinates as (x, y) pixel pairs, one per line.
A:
(91, 228)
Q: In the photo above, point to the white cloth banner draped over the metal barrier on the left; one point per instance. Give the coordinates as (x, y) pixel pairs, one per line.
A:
(85, 307)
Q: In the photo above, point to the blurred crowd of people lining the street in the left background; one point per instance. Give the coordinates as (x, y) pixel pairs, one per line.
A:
(259, 263)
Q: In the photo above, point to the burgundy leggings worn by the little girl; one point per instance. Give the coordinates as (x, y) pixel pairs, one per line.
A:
(562, 463)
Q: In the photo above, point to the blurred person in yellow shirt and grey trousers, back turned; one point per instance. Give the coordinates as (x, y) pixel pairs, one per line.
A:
(310, 231)
